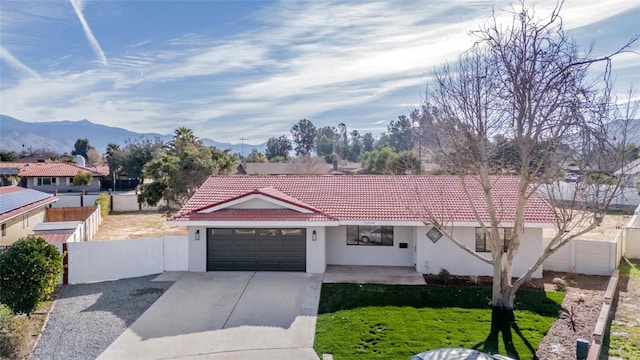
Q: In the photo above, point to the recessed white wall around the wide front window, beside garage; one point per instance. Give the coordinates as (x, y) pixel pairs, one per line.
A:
(339, 253)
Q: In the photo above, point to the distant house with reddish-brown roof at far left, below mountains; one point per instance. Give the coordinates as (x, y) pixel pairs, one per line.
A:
(53, 177)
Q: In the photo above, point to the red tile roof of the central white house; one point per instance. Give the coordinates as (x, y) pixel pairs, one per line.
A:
(404, 198)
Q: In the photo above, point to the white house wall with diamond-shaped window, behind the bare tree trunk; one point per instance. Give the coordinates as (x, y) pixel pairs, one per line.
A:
(446, 255)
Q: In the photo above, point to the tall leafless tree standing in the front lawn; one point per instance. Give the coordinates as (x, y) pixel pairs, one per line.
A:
(526, 82)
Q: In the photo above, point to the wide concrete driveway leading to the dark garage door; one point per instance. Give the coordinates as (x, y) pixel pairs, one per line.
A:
(227, 315)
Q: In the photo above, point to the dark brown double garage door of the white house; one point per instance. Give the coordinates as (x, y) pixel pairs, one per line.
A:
(256, 249)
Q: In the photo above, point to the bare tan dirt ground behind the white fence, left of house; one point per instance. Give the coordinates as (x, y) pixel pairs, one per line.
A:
(118, 226)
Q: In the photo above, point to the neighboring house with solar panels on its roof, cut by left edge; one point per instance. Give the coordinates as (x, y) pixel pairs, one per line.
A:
(21, 210)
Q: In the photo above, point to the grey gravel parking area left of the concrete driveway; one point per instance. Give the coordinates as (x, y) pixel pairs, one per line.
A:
(87, 318)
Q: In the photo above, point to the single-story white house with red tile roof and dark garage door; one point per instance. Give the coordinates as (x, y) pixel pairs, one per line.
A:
(304, 223)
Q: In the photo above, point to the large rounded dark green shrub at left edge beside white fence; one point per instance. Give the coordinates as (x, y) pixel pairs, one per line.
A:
(29, 272)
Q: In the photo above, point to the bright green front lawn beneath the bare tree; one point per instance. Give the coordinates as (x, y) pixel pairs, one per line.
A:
(396, 321)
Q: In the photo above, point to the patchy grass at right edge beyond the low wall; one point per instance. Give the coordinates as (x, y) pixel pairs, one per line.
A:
(624, 333)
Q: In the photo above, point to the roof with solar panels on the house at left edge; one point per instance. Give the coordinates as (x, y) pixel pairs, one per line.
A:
(16, 201)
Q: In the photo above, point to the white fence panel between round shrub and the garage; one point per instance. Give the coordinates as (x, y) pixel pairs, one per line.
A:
(118, 259)
